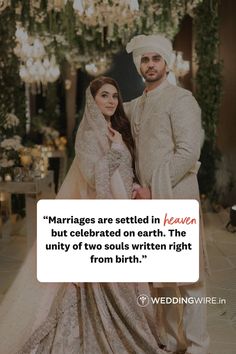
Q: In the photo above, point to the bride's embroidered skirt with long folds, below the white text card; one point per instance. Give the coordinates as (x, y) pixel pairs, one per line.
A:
(97, 318)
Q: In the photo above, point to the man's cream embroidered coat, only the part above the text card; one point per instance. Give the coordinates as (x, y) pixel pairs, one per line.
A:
(166, 126)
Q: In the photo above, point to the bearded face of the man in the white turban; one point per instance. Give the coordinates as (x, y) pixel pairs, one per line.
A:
(153, 67)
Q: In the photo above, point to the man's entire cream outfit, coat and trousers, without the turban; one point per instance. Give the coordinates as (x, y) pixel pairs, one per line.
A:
(166, 126)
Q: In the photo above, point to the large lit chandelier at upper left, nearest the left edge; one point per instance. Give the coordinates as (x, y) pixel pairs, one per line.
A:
(36, 67)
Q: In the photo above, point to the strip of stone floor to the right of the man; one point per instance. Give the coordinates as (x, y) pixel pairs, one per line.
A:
(221, 246)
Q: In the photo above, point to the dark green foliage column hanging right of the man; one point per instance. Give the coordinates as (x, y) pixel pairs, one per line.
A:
(208, 89)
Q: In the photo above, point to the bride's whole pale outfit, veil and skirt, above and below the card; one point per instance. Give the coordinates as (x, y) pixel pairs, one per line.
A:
(85, 318)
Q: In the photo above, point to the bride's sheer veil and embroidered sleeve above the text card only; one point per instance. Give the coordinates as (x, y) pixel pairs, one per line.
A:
(90, 174)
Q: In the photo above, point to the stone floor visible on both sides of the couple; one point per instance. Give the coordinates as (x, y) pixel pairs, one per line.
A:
(221, 284)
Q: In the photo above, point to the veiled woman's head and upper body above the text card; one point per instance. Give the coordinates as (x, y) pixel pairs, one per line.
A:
(102, 167)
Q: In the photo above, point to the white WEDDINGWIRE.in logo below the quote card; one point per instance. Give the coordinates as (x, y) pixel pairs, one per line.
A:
(143, 300)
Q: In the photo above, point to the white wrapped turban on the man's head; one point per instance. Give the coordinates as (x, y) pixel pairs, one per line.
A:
(142, 44)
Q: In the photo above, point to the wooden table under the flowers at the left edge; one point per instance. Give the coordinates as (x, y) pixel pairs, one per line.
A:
(39, 188)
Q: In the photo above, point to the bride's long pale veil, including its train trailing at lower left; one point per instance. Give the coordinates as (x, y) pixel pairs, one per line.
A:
(28, 302)
